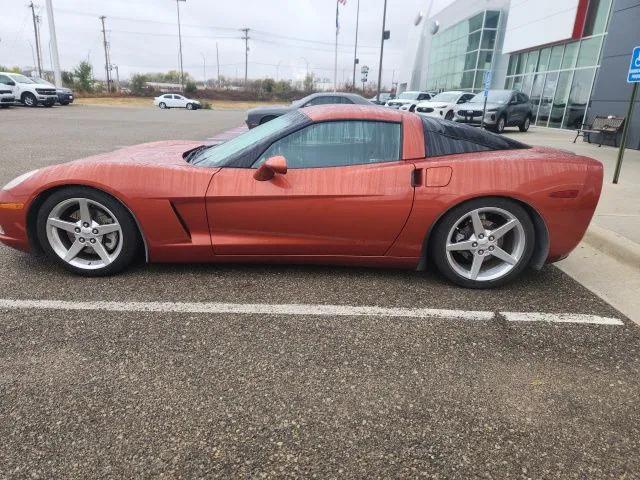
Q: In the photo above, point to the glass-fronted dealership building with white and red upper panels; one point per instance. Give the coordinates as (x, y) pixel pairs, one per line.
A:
(570, 56)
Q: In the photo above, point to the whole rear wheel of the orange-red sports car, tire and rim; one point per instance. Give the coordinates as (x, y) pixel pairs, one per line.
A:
(483, 243)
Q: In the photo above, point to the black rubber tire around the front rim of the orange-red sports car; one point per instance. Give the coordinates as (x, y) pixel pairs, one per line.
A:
(130, 236)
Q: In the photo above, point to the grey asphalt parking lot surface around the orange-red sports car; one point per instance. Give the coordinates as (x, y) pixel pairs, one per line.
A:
(119, 391)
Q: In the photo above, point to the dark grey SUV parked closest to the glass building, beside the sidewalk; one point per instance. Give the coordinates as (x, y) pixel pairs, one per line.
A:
(505, 108)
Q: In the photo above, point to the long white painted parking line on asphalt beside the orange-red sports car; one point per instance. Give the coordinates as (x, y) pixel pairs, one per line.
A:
(305, 309)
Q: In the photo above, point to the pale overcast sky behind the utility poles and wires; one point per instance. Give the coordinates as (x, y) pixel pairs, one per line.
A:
(285, 36)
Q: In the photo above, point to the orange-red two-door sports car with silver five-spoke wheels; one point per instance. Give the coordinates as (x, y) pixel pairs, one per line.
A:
(349, 185)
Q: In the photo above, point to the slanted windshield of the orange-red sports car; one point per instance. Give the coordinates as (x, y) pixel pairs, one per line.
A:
(216, 156)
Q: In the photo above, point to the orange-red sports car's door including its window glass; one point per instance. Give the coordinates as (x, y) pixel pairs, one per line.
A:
(347, 191)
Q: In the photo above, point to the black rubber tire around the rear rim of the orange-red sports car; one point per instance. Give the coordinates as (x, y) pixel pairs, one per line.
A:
(439, 241)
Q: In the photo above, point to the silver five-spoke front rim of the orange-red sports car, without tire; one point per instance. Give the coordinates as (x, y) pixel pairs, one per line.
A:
(84, 233)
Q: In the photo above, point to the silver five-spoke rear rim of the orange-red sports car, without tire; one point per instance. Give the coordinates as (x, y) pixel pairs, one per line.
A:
(485, 244)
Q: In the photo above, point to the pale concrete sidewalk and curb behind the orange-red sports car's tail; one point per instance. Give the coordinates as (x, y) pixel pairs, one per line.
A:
(608, 260)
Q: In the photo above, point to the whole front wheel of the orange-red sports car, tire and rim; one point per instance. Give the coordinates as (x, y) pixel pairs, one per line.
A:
(87, 232)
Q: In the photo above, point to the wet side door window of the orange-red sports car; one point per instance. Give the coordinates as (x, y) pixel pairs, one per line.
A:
(334, 144)
